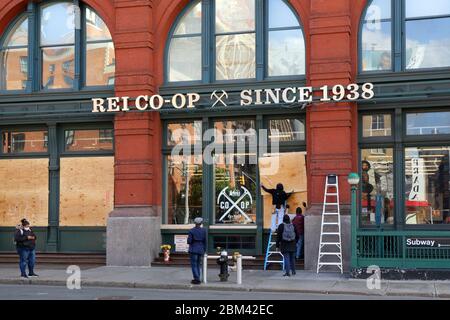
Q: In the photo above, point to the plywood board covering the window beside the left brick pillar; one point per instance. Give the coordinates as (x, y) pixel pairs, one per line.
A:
(86, 191)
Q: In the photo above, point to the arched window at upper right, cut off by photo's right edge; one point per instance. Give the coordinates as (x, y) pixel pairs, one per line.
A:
(405, 35)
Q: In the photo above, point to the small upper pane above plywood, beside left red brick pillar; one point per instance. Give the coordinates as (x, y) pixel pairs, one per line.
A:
(89, 140)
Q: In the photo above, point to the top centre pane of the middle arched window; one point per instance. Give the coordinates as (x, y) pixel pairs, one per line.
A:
(235, 15)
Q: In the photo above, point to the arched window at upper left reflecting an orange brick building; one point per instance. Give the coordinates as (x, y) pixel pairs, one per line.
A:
(70, 42)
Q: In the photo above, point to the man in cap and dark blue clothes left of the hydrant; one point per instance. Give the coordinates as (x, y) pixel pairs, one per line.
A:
(197, 248)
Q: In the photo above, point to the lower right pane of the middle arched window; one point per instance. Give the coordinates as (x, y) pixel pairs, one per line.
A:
(286, 53)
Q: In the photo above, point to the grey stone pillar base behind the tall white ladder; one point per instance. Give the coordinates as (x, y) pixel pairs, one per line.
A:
(313, 220)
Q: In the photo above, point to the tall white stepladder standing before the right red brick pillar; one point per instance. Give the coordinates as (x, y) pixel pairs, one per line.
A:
(330, 246)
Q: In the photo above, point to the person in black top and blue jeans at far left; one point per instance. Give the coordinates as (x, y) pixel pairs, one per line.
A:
(26, 247)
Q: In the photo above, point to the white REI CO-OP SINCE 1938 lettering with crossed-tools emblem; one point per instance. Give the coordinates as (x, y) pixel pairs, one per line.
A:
(220, 98)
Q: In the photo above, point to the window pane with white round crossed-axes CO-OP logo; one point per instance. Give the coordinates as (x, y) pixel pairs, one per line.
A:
(235, 188)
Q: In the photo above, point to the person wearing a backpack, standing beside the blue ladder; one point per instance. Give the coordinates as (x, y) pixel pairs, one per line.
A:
(287, 238)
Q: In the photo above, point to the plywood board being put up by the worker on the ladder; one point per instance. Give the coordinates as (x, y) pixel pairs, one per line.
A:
(286, 168)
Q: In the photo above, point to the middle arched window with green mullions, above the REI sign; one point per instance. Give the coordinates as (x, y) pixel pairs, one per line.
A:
(219, 40)
